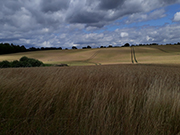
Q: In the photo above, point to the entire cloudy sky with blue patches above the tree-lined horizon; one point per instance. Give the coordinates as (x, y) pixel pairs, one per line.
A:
(67, 23)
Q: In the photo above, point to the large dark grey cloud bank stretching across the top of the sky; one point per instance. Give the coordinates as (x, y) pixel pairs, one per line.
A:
(89, 12)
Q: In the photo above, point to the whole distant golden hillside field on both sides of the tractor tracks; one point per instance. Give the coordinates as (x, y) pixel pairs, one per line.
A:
(169, 54)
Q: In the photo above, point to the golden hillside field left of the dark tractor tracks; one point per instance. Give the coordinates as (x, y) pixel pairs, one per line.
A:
(76, 57)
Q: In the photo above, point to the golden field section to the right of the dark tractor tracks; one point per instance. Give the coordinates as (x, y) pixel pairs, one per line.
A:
(169, 54)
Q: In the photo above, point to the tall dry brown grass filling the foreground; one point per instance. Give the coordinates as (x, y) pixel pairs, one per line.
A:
(99, 100)
